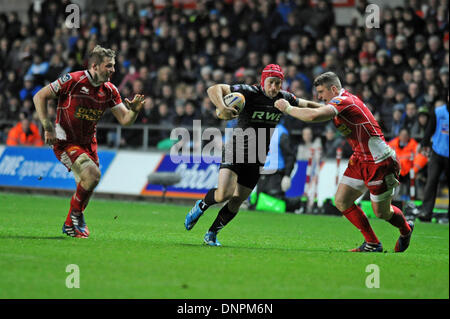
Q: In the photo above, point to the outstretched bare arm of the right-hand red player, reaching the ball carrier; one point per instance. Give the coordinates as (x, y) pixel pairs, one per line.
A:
(319, 114)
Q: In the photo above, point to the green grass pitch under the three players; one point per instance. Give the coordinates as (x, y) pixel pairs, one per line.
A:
(141, 250)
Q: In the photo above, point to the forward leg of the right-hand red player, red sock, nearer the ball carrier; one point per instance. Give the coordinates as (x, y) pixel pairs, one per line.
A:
(345, 201)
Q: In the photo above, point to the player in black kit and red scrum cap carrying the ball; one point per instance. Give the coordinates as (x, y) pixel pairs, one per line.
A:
(243, 156)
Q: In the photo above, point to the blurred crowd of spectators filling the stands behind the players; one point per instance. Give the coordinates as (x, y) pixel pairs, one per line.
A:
(172, 54)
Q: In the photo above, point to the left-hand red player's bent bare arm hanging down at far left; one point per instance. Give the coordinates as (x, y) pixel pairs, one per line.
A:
(40, 103)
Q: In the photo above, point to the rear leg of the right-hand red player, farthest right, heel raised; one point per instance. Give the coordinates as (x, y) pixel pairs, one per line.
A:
(385, 210)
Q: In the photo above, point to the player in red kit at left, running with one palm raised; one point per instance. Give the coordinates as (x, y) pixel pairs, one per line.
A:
(83, 97)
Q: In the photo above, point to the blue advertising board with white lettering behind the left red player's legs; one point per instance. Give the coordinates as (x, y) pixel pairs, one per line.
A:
(39, 167)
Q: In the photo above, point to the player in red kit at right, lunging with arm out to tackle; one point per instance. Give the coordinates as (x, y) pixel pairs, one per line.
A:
(372, 166)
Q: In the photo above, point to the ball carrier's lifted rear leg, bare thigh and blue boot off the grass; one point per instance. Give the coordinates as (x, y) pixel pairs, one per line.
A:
(226, 184)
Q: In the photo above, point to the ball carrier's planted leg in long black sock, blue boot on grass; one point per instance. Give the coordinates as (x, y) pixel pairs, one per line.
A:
(227, 213)
